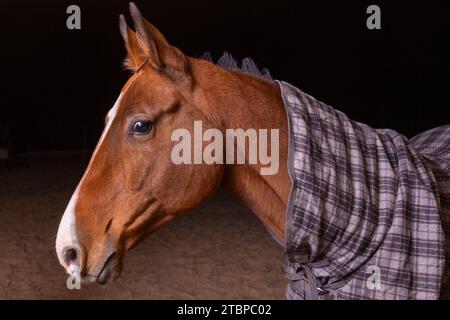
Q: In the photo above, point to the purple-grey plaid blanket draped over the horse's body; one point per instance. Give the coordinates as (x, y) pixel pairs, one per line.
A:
(369, 210)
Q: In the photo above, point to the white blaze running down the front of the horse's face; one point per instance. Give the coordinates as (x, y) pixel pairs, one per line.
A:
(66, 232)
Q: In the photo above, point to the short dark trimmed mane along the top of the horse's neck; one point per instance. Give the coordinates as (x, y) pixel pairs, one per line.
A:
(248, 65)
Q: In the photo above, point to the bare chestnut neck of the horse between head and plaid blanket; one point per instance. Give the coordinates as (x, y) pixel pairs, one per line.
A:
(236, 100)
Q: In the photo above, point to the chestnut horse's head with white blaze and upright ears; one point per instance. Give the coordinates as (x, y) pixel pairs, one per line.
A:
(131, 187)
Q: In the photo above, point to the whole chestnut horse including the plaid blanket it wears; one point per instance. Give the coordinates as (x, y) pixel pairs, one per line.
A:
(132, 187)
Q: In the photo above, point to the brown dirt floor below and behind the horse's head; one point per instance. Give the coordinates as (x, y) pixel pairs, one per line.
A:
(219, 251)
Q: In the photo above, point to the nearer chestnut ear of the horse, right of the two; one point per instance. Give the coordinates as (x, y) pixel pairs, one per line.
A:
(159, 53)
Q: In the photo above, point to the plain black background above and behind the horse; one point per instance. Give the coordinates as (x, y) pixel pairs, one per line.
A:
(59, 83)
